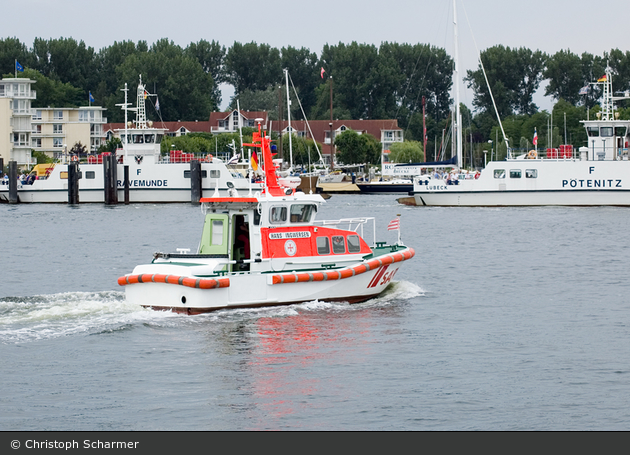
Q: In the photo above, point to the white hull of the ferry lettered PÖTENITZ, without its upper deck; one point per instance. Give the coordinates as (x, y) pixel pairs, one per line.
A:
(556, 182)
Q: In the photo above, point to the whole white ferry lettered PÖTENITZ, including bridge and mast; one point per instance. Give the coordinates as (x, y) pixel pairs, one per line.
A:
(596, 174)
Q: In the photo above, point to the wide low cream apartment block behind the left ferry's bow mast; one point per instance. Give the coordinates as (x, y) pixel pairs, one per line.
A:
(56, 130)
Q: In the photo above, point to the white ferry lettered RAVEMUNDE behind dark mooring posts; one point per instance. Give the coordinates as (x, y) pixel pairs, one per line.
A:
(151, 177)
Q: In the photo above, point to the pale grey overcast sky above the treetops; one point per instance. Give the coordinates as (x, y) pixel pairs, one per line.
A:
(547, 25)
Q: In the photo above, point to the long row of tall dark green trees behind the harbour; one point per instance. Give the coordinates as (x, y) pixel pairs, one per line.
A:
(370, 82)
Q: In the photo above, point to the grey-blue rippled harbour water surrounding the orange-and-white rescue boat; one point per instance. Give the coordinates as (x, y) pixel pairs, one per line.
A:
(506, 319)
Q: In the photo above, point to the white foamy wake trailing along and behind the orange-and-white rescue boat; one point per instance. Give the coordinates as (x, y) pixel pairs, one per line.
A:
(42, 317)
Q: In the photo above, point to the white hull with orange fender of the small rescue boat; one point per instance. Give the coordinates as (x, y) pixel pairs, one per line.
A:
(160, 288)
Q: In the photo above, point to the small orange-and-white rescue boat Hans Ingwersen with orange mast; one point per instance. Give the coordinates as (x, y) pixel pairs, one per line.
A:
(267, 249)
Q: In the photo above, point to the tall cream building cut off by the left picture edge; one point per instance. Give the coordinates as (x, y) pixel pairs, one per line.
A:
(15, 120)
